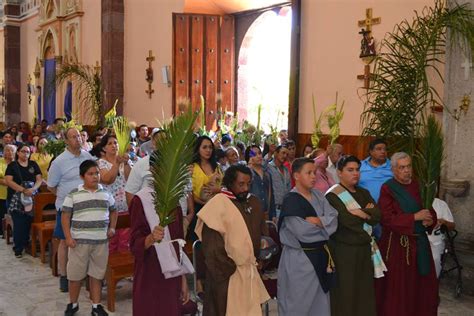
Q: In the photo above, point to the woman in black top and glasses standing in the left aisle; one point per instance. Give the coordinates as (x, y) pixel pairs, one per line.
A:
(23, 178)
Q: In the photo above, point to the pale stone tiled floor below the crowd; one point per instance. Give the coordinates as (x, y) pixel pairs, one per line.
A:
(28, 288)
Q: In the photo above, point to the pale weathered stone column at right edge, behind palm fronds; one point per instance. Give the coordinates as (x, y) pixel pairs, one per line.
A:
(458, 171)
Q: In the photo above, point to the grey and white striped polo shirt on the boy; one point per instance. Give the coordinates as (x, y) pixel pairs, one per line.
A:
(90, 214)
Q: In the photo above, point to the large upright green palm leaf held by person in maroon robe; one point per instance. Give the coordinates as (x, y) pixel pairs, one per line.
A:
(170, 164)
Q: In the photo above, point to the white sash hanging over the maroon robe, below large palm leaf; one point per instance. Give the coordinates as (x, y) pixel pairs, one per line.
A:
(171, 265)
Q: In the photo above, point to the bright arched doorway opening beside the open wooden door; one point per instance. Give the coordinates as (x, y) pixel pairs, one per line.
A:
(264, 70)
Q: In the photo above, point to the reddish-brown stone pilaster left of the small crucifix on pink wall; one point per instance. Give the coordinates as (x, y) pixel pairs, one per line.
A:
(112, 51)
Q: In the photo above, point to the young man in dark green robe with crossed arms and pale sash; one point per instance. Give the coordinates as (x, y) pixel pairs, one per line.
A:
(352, 244)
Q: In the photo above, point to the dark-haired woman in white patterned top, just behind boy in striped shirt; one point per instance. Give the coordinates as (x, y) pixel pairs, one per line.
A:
(114, 170)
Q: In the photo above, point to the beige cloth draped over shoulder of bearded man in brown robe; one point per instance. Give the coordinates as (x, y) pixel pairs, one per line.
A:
(246, 290)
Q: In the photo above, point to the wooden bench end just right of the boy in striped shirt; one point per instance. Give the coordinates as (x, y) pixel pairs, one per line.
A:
(120, 265)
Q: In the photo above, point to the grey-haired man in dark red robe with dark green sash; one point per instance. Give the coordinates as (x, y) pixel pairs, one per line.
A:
(410, 286)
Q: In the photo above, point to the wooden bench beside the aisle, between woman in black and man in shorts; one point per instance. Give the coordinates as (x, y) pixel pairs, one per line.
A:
(42, 228)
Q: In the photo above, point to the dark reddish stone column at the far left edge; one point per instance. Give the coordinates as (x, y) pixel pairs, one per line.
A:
(12, 64)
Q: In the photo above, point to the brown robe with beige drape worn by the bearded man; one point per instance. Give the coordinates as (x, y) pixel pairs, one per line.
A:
(230, 247)
